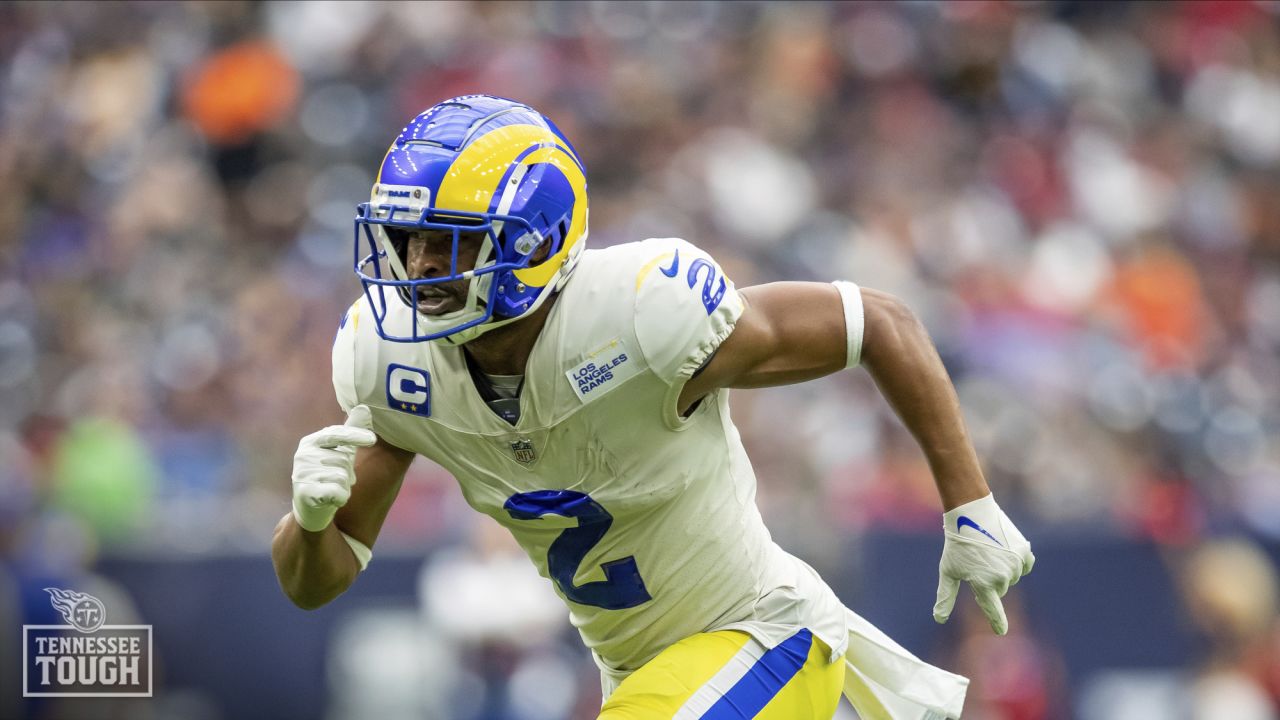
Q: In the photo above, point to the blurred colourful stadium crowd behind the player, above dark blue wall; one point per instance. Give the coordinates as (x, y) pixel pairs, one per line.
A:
(1081, 200)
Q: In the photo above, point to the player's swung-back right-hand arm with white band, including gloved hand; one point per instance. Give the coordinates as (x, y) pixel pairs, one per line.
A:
(794, 332)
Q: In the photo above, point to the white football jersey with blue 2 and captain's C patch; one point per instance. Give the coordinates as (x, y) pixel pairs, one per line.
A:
(644, 522)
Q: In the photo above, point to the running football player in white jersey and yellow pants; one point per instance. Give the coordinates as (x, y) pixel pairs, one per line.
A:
(580, 398)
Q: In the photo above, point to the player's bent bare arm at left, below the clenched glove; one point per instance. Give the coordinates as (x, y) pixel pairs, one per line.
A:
(317, 567)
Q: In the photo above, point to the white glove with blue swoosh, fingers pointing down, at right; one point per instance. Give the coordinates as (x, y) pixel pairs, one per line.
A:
(985, 549)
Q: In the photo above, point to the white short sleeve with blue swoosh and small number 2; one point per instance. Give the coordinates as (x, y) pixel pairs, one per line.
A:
(685, 308)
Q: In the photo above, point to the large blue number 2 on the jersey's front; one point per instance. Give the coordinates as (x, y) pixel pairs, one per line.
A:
(623, 586)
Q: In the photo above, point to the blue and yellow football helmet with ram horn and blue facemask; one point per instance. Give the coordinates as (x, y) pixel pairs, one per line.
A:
(474, 165)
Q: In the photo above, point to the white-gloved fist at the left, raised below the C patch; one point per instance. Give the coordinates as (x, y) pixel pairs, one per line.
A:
(324, 470)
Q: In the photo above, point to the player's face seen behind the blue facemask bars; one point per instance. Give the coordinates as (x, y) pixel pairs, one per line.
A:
(428, 254)
